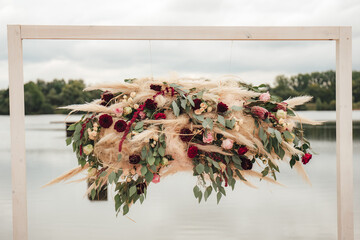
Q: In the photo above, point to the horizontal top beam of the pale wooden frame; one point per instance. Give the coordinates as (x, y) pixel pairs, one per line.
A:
(178, 33)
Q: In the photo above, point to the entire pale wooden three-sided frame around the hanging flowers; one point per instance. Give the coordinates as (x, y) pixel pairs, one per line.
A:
(342, 36)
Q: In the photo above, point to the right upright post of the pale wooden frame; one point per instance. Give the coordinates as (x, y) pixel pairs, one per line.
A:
(344, 141)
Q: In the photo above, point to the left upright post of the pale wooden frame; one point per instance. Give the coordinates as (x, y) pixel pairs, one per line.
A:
(17, 129)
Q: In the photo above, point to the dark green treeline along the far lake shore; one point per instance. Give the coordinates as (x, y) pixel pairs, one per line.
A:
(45, 97)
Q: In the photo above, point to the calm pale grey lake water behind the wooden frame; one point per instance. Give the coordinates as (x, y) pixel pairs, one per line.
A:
(170, 211)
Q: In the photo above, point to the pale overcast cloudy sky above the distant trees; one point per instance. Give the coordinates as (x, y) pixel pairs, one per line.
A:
(96, 61)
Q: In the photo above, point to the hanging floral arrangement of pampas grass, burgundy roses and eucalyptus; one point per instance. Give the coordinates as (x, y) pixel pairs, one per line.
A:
(142, 130)
